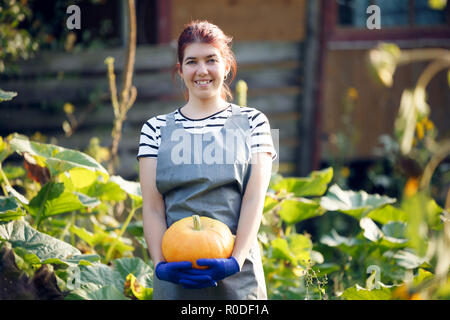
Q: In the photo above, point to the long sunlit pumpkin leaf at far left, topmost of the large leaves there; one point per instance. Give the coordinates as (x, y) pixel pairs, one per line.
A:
(56, 158)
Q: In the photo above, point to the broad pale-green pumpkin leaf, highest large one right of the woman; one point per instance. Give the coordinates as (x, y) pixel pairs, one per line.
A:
(355, 204)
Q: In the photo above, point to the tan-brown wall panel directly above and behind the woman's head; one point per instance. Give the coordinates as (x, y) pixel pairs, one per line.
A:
(245, 20)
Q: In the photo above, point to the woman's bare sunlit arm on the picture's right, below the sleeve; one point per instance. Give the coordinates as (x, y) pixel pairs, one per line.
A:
(252, 205)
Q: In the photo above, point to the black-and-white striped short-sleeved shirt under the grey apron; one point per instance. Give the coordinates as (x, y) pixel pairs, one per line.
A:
(261, 138)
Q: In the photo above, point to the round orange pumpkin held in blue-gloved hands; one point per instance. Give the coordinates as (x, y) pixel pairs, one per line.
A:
(195, 238)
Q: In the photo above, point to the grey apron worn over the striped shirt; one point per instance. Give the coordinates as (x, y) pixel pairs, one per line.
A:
(206, 174)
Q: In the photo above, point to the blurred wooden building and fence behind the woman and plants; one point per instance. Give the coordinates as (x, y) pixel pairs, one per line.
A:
(305, 64)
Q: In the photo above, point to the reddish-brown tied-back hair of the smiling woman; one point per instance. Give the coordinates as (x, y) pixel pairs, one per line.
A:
(206, 32)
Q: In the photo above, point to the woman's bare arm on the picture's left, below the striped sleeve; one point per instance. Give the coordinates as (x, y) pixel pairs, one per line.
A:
(153, 209)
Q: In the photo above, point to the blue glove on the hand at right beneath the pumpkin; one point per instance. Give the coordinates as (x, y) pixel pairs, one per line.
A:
(218, 268)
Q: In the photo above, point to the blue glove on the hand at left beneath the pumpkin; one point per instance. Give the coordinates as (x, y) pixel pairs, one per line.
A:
(175, 271)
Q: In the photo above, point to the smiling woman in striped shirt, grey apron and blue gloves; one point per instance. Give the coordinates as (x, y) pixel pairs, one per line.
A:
(179, 178)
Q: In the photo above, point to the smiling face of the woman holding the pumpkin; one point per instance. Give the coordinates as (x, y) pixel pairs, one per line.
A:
(203, 70)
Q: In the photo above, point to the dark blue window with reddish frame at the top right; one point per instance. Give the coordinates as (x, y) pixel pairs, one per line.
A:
(346, 21)
